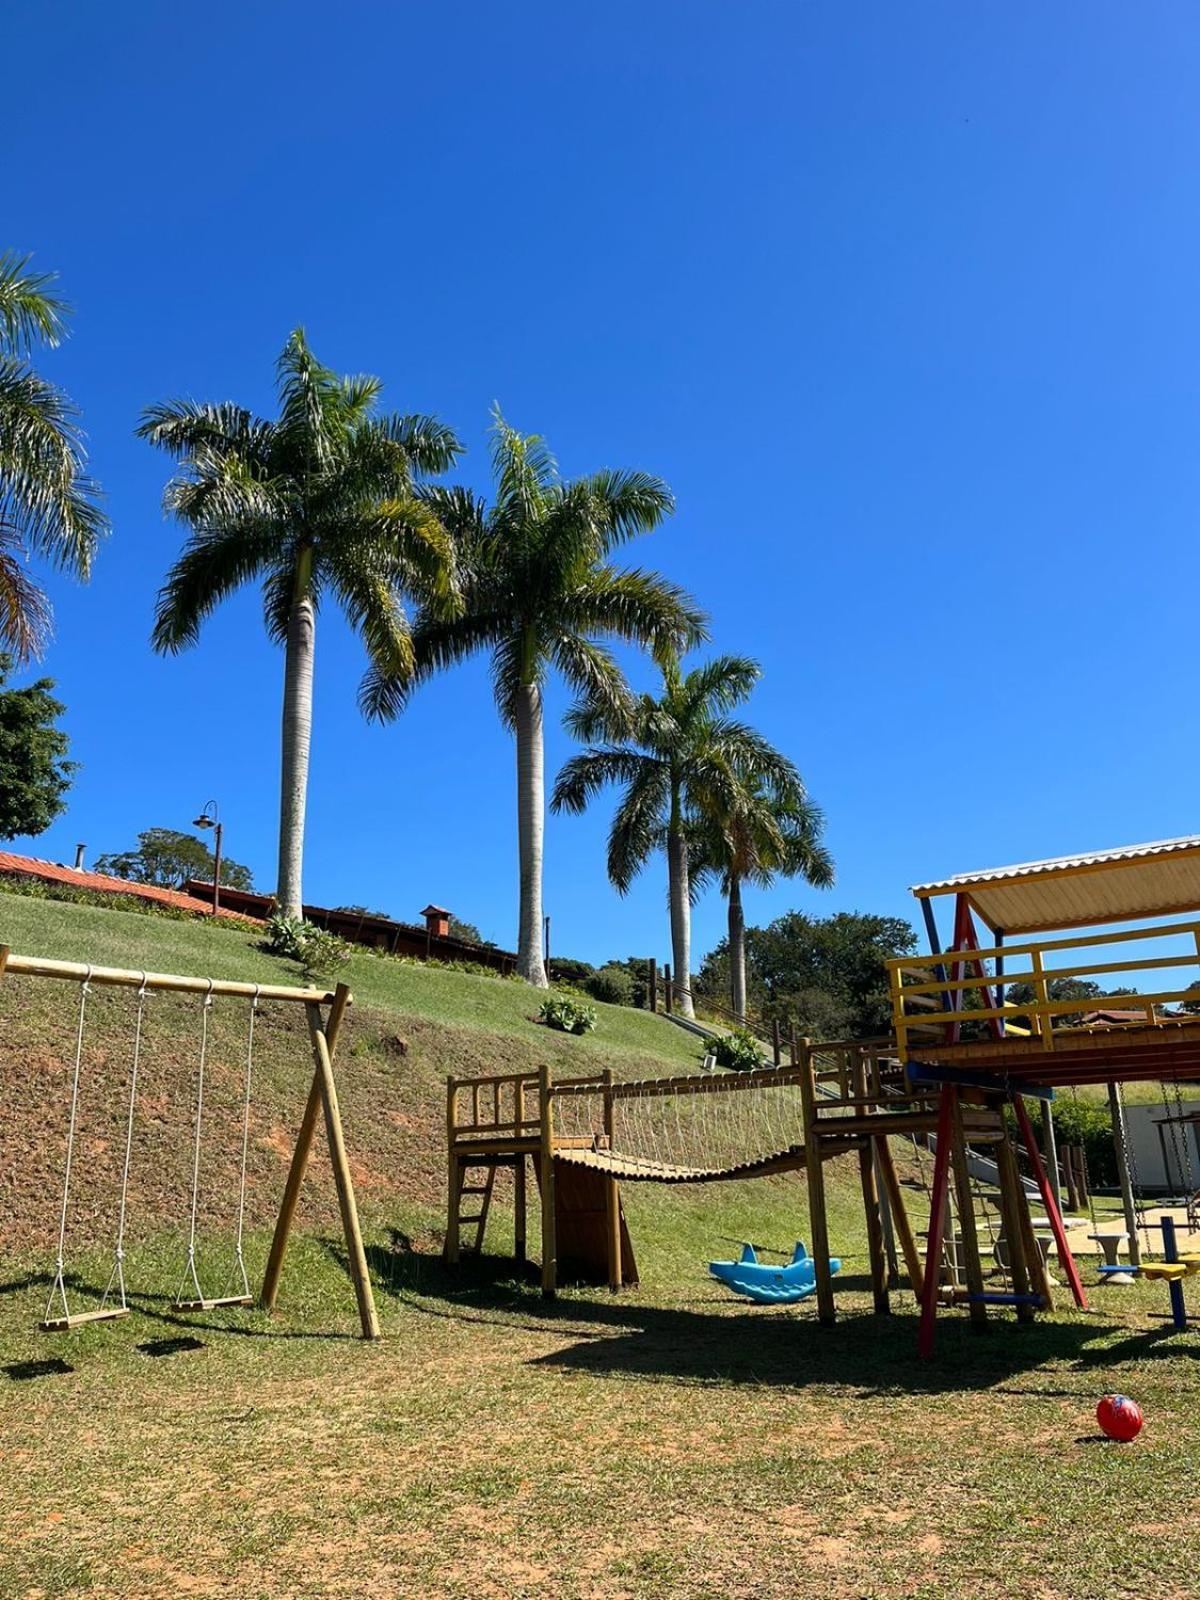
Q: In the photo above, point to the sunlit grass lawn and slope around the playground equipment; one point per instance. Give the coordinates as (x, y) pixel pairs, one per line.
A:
(662, 1442)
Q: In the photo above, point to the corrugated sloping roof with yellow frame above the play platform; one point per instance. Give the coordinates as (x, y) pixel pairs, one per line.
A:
(1130, 884)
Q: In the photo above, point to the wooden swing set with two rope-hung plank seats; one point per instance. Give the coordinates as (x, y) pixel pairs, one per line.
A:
(326, 1014)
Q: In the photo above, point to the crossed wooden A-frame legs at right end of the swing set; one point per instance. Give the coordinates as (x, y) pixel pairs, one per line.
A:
(324, 1098)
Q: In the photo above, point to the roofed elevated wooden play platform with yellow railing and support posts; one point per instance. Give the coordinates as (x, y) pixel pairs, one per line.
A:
(996, 1015)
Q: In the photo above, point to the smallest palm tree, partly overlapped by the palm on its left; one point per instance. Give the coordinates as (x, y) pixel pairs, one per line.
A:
(759, 831)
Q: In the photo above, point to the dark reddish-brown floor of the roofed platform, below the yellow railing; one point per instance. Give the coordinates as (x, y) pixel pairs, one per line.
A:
(1166, 1052)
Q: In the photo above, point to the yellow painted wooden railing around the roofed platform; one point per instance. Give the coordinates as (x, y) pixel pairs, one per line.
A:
(930, 994)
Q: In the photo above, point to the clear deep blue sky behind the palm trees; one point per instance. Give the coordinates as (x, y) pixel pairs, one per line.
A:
(900, 300)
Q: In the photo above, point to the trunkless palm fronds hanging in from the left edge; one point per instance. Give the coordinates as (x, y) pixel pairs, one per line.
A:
(49, 503)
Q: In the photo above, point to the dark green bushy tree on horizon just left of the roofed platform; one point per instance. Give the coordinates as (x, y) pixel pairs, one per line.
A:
(823, 975)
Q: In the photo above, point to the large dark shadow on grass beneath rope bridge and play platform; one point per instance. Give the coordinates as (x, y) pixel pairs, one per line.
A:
(721, 1343)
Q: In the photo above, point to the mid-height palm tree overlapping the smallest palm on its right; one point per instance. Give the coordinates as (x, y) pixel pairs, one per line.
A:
(678, 758)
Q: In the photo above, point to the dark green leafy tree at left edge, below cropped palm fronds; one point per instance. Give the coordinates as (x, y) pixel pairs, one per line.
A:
(34, 770)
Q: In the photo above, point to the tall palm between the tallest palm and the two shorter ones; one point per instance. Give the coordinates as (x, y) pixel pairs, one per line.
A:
(542, 594)
